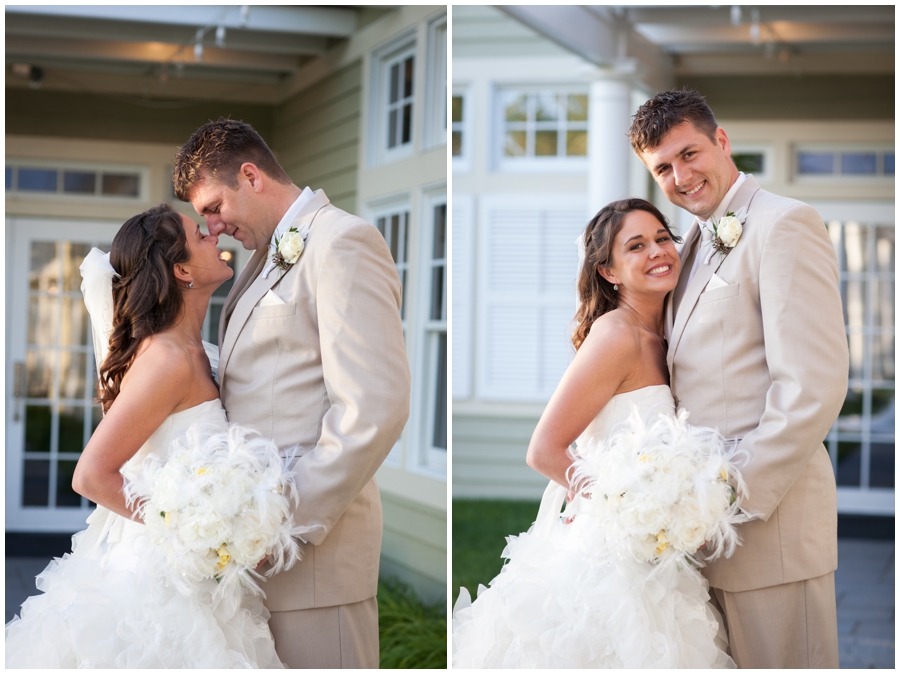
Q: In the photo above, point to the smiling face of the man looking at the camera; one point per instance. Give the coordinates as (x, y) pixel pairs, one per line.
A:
(693, 170)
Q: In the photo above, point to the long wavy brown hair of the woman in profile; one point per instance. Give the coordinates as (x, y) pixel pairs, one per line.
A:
(146, 297)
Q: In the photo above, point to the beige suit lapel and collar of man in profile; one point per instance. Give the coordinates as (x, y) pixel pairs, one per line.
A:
(254, 286)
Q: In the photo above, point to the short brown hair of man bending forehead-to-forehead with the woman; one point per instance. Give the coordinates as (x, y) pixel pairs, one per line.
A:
(217, 149)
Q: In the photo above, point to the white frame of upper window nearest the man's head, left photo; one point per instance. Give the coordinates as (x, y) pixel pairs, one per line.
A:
(382, 59)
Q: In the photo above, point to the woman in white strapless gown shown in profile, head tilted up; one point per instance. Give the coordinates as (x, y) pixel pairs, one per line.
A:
(105, 604)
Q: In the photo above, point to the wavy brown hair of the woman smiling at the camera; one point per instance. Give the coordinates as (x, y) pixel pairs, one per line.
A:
(595, 292)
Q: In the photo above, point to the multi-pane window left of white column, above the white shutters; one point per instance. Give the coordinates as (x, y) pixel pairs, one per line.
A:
(542, 128)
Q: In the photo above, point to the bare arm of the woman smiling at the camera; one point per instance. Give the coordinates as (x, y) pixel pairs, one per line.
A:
(605, 361)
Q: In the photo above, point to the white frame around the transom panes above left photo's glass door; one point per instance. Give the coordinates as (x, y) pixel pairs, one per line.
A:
(142, 172)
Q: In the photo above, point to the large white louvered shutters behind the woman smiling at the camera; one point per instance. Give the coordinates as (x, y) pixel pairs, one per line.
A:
(527, 267)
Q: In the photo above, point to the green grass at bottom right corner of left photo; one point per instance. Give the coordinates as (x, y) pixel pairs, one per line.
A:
(412, 634)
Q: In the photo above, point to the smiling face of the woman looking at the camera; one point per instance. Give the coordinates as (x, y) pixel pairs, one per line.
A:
(644, 258)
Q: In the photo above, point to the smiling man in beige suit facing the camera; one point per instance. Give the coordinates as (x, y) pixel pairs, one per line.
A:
(757, 348)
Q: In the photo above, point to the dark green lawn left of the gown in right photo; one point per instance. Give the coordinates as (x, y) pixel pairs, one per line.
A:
(480, 529)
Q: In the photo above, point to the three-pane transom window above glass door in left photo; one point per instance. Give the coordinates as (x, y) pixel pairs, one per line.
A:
(81, 181)
